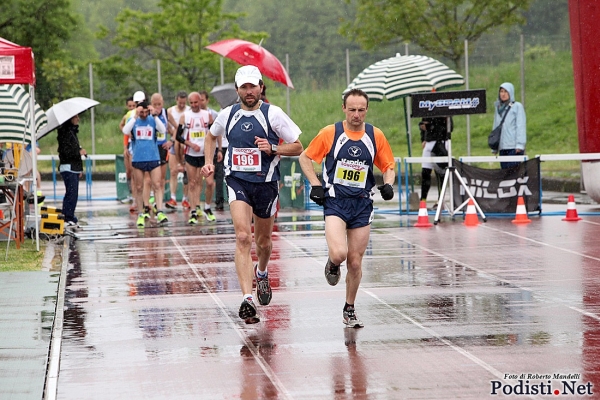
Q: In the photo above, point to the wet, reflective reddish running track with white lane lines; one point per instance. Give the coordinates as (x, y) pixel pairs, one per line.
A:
(450, 312)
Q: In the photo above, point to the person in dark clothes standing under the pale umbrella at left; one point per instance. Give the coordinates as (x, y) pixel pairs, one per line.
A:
(71, 166)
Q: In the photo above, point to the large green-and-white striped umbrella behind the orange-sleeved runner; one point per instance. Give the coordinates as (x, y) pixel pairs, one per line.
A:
(400, 76)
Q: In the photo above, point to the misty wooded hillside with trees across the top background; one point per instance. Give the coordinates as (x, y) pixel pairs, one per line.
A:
(123, 39)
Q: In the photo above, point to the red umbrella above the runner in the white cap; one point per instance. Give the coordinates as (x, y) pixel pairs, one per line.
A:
(248, 53)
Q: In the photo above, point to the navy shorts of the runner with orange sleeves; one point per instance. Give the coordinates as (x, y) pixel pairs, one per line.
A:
(356, 212)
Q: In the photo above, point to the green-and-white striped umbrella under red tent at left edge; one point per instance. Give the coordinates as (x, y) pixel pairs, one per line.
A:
(15, 114)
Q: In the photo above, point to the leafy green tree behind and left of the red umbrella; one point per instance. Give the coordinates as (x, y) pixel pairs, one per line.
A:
(176, 35)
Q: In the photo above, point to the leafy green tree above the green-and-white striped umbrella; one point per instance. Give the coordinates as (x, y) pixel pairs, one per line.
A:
(437, 26)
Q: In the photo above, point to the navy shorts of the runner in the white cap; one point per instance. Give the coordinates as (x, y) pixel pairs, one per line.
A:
(261, 196)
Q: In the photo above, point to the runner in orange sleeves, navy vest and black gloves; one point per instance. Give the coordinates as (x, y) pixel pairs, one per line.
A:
(349, 149)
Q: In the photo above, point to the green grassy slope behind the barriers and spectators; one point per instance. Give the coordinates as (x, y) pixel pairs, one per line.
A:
(550, 109)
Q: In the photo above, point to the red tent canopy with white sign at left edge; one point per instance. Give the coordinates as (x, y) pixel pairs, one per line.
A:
(16, 64)
